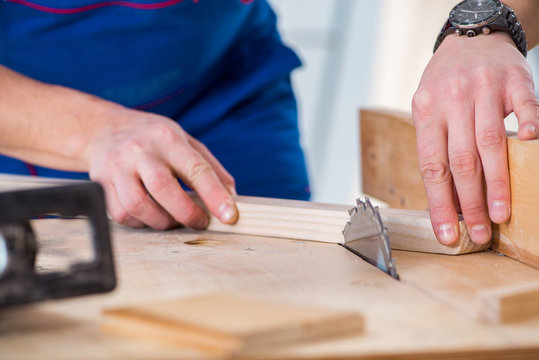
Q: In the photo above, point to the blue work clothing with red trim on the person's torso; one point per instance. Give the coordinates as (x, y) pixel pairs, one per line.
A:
(218, 67)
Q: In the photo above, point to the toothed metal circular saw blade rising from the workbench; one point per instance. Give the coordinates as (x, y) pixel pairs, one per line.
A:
(366, 236)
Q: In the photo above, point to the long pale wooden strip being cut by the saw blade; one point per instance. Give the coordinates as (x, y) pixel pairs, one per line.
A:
(302, 220)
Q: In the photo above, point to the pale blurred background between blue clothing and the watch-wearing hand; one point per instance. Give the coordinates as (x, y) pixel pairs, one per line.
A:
(356, 53)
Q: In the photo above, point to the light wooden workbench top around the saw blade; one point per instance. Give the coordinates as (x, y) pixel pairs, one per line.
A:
(430, 314)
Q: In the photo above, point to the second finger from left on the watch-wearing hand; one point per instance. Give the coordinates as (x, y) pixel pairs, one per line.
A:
(467, 172)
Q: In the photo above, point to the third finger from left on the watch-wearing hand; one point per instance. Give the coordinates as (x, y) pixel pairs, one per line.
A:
(492, 146)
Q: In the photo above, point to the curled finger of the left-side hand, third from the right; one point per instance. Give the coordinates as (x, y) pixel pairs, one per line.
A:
(136, 202)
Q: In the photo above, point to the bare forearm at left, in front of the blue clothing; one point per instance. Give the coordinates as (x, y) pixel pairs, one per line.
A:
(45, 124)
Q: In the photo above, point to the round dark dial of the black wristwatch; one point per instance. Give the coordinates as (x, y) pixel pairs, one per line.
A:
(473, 13)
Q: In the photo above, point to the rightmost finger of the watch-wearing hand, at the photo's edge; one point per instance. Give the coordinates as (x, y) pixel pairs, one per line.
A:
(526, 109)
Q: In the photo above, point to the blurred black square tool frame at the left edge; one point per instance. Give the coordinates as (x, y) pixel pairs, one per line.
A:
(20, 283)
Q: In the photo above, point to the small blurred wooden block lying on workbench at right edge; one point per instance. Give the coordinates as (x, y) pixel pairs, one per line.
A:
(510, 304)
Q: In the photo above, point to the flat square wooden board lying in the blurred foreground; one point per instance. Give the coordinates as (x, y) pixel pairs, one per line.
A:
(224, 324)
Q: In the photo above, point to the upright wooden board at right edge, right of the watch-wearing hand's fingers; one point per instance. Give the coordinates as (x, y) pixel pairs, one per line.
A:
(519, 238)
